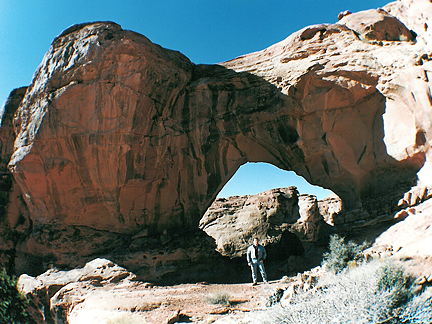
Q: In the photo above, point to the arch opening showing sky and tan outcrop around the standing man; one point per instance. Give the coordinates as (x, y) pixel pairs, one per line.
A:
(278, 207)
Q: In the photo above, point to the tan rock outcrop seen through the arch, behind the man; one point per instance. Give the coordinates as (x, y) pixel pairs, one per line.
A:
(274, 216)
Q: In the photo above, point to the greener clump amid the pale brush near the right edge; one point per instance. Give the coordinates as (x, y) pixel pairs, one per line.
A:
(394, 280)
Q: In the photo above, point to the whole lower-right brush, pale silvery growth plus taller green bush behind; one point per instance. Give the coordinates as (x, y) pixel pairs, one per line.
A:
(353, 290)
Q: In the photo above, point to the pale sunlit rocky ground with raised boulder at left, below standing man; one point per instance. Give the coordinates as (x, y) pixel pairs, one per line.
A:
(103, 292)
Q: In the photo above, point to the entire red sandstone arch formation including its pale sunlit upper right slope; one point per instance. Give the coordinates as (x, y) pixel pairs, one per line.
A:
(118, 138)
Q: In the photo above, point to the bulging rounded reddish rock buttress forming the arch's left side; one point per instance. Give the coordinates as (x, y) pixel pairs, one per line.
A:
(95, 128)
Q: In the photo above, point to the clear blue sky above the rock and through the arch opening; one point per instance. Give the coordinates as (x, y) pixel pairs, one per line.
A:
(207, 31)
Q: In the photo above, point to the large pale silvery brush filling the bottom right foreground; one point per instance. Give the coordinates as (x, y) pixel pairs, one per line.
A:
(357, 295)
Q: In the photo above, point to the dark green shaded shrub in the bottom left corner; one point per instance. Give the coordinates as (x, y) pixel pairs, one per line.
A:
(12, 303)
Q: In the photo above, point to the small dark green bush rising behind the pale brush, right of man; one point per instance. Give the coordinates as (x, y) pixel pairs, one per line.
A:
(341, 254)
